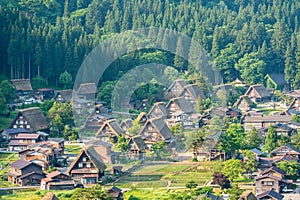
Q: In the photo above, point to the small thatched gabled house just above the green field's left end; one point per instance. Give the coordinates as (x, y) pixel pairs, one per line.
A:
(137, 148)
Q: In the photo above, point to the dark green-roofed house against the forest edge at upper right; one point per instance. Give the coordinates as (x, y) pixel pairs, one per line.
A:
(277, 81)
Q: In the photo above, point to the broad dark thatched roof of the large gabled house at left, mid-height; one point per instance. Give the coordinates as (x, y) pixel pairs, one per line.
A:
(34, 117)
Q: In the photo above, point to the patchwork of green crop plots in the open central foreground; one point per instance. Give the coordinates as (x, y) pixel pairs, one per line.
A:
(172, 175)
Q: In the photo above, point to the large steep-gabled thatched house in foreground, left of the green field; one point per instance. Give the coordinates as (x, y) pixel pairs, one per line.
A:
(88, 167)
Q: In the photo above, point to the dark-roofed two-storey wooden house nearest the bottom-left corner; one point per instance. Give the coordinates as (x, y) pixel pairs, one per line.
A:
(25, 173)
